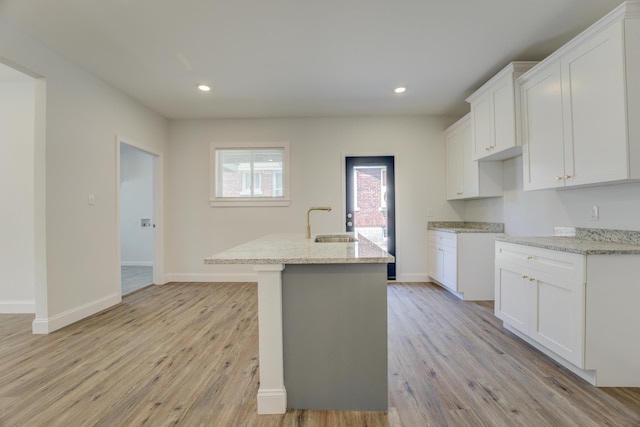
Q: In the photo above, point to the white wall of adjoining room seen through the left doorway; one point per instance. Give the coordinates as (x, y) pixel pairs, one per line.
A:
(136, 202)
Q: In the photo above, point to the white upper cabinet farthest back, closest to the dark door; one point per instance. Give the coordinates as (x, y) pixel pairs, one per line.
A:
(466, 178)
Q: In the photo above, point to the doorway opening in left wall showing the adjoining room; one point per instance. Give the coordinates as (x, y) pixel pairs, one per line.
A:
(137, 225)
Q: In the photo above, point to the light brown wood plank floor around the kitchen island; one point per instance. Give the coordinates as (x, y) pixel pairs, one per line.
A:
(186, 354)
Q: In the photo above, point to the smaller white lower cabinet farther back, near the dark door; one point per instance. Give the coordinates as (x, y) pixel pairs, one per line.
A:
(462, 263)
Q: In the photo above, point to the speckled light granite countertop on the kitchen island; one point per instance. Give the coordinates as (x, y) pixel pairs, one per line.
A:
(295, 249)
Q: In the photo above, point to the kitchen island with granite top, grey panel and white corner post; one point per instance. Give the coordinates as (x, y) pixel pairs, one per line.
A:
(322, 313)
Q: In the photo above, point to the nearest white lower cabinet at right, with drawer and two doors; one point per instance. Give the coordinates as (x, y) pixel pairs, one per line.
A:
(579, 309)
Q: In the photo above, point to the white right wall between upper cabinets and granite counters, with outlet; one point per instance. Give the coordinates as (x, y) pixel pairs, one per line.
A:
(535, 213)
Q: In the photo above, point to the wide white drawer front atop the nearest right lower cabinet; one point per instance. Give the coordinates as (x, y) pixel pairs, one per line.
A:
(564, 265)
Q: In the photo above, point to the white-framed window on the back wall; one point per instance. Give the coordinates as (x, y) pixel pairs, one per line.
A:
(255, 174)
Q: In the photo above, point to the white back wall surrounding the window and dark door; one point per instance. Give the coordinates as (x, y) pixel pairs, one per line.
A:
(197, 230)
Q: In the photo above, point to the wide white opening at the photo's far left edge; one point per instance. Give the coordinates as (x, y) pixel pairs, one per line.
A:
(23, 265)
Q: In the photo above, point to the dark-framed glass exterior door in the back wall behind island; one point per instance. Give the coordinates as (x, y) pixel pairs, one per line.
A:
(370, 202)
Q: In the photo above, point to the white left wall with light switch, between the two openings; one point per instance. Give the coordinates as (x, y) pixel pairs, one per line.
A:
(83, 116)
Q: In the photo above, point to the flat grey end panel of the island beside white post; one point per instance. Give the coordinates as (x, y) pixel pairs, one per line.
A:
(335, 336)
